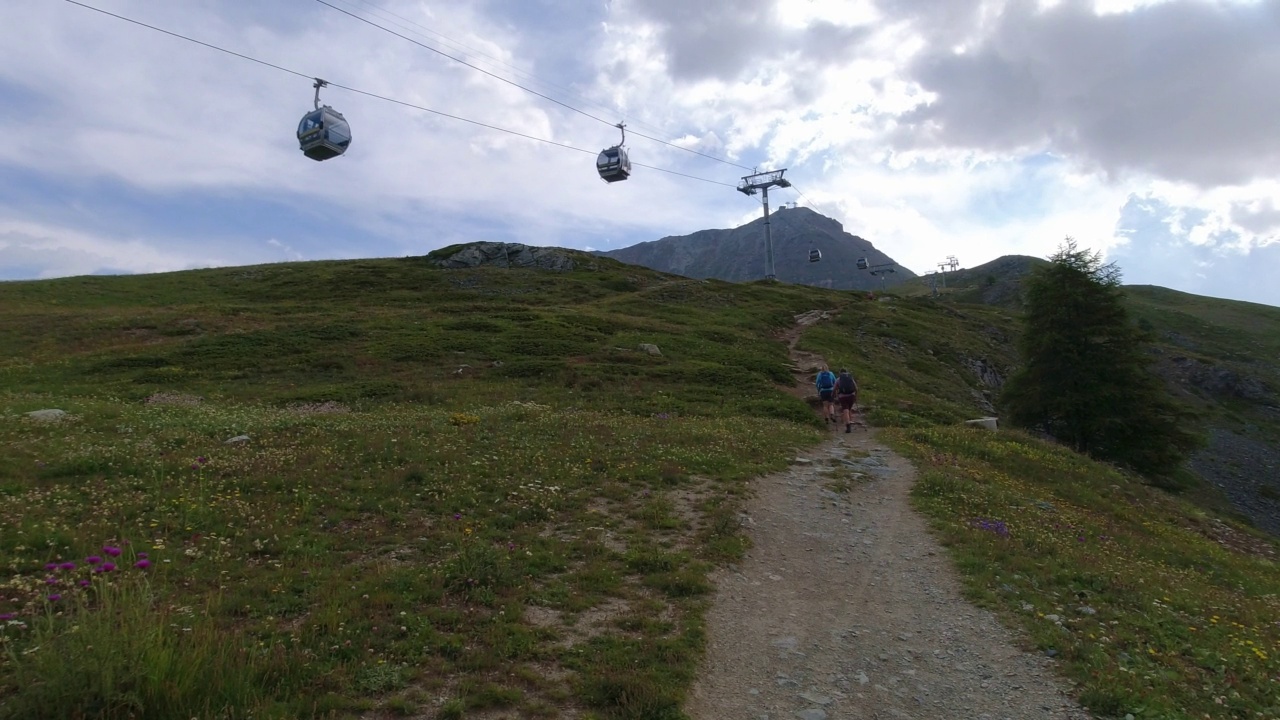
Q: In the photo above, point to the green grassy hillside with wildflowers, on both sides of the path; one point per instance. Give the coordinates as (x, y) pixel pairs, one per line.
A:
(472, 493)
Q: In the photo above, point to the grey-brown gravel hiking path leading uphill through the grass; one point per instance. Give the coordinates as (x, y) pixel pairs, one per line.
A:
(847, 607)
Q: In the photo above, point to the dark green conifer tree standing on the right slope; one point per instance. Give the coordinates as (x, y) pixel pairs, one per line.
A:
(1086, 377)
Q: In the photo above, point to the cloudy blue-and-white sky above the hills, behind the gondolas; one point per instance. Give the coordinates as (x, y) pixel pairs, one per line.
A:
(1145, 130)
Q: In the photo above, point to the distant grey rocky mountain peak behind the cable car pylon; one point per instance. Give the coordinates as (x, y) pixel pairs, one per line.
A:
(739, 254)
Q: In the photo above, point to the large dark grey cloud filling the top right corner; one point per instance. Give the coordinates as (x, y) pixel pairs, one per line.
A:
(1182, 90)
